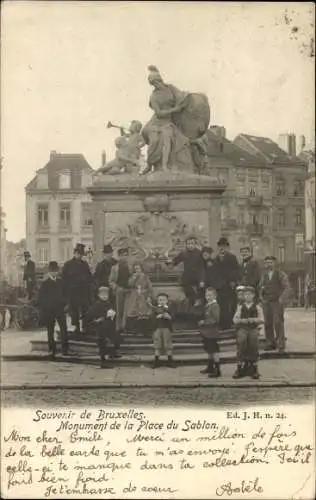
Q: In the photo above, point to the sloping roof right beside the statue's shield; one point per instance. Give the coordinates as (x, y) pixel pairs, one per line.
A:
(218, 145)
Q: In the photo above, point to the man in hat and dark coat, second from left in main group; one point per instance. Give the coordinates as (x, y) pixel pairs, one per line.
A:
(78, 281)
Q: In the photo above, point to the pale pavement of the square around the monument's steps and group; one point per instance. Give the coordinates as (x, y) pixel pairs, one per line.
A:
(282, 372)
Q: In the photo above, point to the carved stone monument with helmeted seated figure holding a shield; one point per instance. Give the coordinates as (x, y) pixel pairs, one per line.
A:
(152, 208)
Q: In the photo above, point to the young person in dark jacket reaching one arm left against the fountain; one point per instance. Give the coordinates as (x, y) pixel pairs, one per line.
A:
(192, 279)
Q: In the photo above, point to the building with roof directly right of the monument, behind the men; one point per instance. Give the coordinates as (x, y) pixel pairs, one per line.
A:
(246, 215)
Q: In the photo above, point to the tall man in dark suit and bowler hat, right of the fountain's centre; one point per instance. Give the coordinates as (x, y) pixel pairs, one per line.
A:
(227, 276)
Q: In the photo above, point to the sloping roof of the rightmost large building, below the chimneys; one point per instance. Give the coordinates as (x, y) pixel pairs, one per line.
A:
(266, 148)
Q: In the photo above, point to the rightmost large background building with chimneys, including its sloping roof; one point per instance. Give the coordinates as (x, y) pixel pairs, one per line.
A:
(288, 174)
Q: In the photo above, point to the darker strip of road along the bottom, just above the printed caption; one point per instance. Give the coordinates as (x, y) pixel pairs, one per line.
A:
(210, 396)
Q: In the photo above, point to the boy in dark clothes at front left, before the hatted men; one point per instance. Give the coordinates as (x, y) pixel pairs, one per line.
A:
(101, 318)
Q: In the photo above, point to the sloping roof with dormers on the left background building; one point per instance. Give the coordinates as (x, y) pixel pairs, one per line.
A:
(75, 164)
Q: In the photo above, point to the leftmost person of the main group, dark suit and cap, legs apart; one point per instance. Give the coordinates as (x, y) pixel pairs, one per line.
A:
(52, 301)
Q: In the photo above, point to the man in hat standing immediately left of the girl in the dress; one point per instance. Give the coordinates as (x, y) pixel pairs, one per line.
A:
(119, 282)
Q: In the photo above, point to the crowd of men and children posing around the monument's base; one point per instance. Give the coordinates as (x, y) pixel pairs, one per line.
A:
(229, 293)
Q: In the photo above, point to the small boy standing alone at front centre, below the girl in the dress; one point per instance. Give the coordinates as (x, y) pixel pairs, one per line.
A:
(162, 336)
